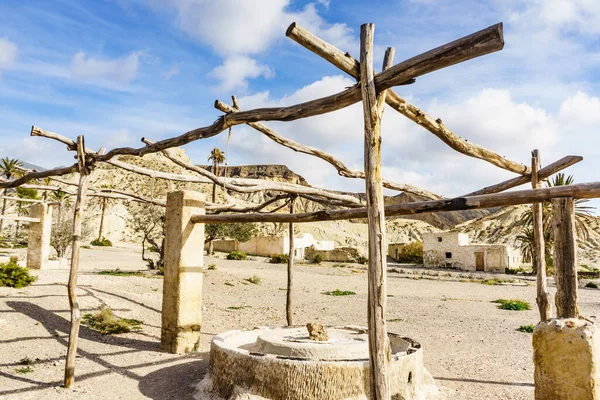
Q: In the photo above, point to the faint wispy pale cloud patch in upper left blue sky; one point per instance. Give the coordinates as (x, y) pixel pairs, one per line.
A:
(119, 70)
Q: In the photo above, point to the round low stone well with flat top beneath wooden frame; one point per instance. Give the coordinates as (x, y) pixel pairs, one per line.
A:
(284, 364)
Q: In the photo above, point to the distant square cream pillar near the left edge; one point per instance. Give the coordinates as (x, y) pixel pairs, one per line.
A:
(38, 244)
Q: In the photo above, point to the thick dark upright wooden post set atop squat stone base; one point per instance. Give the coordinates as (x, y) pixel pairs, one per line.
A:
(565, 257)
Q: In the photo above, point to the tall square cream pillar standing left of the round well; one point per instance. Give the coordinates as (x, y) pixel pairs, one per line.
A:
(182, 284)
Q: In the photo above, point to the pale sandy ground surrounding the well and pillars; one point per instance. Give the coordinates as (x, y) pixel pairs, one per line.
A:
(469, 344)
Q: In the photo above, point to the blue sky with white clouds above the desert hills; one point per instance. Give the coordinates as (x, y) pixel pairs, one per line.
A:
(119, 70)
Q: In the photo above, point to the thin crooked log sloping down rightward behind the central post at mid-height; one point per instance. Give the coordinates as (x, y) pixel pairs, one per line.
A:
(342, 169)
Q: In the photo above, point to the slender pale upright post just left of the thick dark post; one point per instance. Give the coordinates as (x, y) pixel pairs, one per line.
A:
(539, 250)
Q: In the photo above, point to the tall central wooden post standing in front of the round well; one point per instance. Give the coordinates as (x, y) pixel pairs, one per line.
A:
(379, 346)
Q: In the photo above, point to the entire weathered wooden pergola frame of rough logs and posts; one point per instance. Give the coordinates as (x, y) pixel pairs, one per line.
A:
(374, 90)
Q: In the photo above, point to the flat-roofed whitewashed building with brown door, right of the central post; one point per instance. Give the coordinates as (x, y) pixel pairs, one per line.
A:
(453, 250)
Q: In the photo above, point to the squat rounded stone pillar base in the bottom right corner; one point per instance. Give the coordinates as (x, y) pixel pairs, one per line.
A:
(566, 355)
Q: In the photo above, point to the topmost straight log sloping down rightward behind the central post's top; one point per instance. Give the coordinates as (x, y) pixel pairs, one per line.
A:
(351, 66)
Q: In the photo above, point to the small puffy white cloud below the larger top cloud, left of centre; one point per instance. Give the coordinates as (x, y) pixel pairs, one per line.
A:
(236, 70)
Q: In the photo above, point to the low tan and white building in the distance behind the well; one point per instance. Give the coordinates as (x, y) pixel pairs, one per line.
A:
(270, 245)
